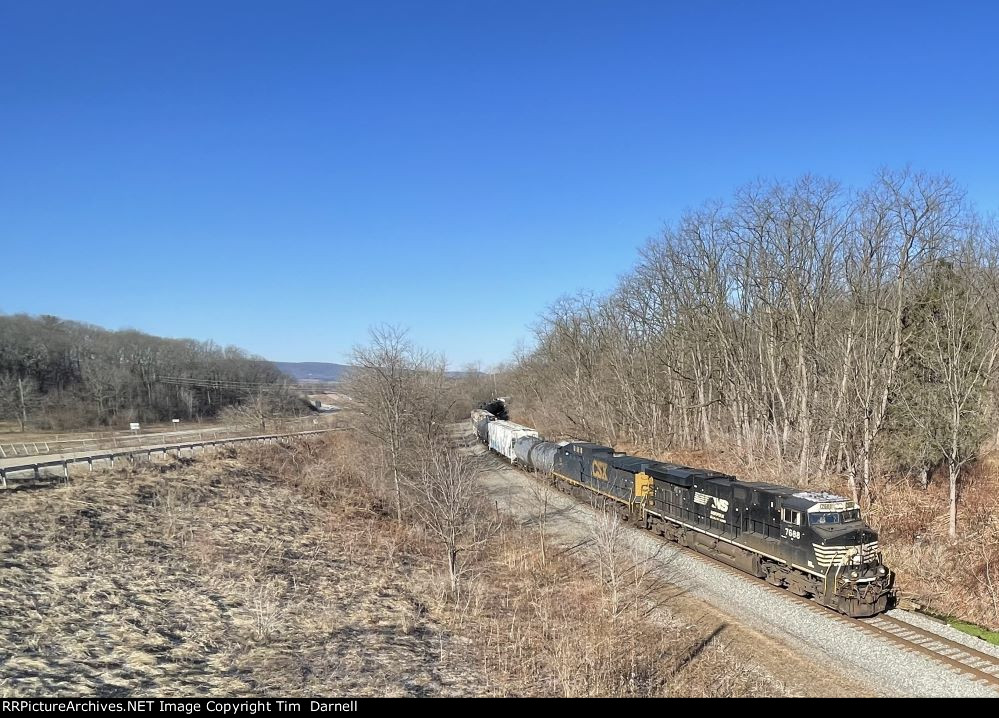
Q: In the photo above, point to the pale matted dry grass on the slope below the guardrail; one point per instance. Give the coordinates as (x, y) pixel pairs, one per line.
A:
(212, 577)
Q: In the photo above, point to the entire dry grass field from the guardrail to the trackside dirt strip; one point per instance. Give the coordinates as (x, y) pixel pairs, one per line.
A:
(278, 569)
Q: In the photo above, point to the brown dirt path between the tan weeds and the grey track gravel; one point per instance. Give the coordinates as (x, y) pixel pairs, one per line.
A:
(569, 524)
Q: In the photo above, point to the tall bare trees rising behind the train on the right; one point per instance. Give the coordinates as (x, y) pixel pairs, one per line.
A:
(824, 328)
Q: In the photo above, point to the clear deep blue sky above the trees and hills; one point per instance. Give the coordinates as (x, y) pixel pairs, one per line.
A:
(282, 175)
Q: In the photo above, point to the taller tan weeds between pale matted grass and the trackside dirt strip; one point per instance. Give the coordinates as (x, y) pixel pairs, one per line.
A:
(557, 628)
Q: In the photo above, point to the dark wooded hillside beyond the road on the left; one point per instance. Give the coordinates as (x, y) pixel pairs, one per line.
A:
(62, 374)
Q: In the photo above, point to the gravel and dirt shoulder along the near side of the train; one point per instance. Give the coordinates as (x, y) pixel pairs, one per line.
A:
(811, 653)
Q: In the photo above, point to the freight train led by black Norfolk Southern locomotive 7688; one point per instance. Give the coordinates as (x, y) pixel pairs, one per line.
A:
(814, 544)
